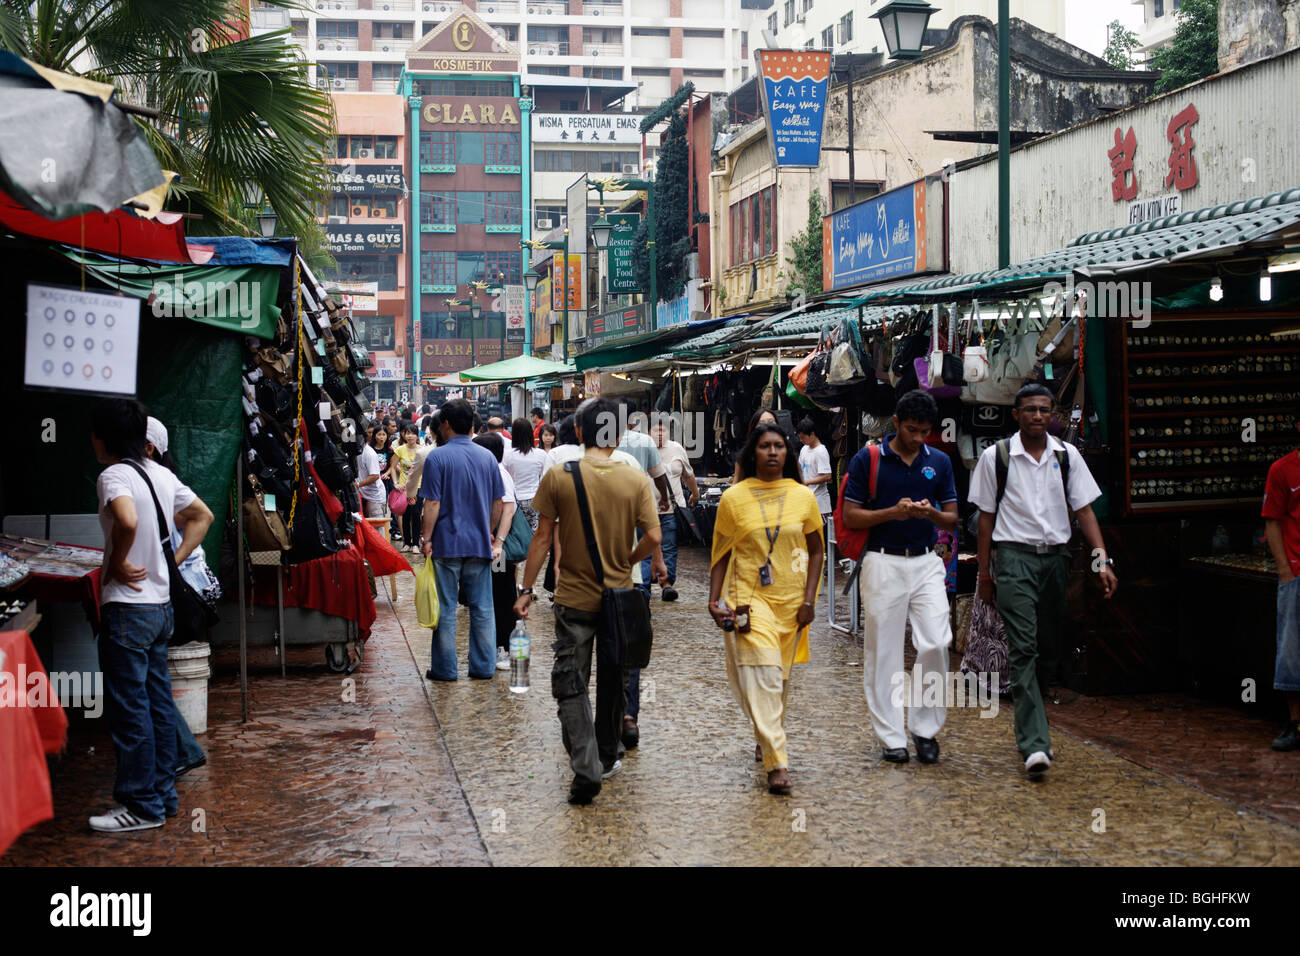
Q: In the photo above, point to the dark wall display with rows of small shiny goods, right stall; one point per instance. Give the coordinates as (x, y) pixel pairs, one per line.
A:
(1208, 408)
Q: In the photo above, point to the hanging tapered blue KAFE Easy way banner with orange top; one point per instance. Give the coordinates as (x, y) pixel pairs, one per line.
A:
(795, 85)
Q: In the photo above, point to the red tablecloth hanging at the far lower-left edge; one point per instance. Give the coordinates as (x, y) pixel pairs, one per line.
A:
(27, 736)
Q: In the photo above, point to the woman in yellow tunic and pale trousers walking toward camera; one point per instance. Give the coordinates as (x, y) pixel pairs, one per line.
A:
(768, 560)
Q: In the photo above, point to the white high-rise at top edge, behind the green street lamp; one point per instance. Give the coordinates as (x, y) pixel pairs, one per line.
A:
(846, 27)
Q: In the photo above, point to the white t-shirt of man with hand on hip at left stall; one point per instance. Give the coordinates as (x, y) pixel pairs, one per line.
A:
(123, 481)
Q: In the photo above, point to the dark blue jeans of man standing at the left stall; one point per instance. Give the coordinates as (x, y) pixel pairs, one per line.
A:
(141, 711)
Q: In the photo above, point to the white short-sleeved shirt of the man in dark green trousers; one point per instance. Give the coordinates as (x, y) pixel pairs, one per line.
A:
(1034, 509)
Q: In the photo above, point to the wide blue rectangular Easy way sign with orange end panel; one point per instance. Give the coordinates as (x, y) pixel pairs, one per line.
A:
(885, 237)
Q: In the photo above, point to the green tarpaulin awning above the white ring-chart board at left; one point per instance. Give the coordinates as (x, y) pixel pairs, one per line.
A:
(236, 299)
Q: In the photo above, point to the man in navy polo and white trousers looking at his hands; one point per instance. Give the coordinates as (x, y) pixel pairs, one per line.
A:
(903, 578)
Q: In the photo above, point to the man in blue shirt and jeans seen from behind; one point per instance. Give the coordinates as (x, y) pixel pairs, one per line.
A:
(462, 491)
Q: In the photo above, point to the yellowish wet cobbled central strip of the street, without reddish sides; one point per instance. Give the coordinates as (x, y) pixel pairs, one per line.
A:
(692, 794)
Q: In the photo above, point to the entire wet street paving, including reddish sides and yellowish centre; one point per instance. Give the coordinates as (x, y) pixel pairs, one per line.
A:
(469, 773)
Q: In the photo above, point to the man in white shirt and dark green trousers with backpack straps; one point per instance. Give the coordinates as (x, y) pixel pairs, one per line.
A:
(1026, 488)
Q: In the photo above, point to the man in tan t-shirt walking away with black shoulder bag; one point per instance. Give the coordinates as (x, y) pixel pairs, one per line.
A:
(621, 500)
